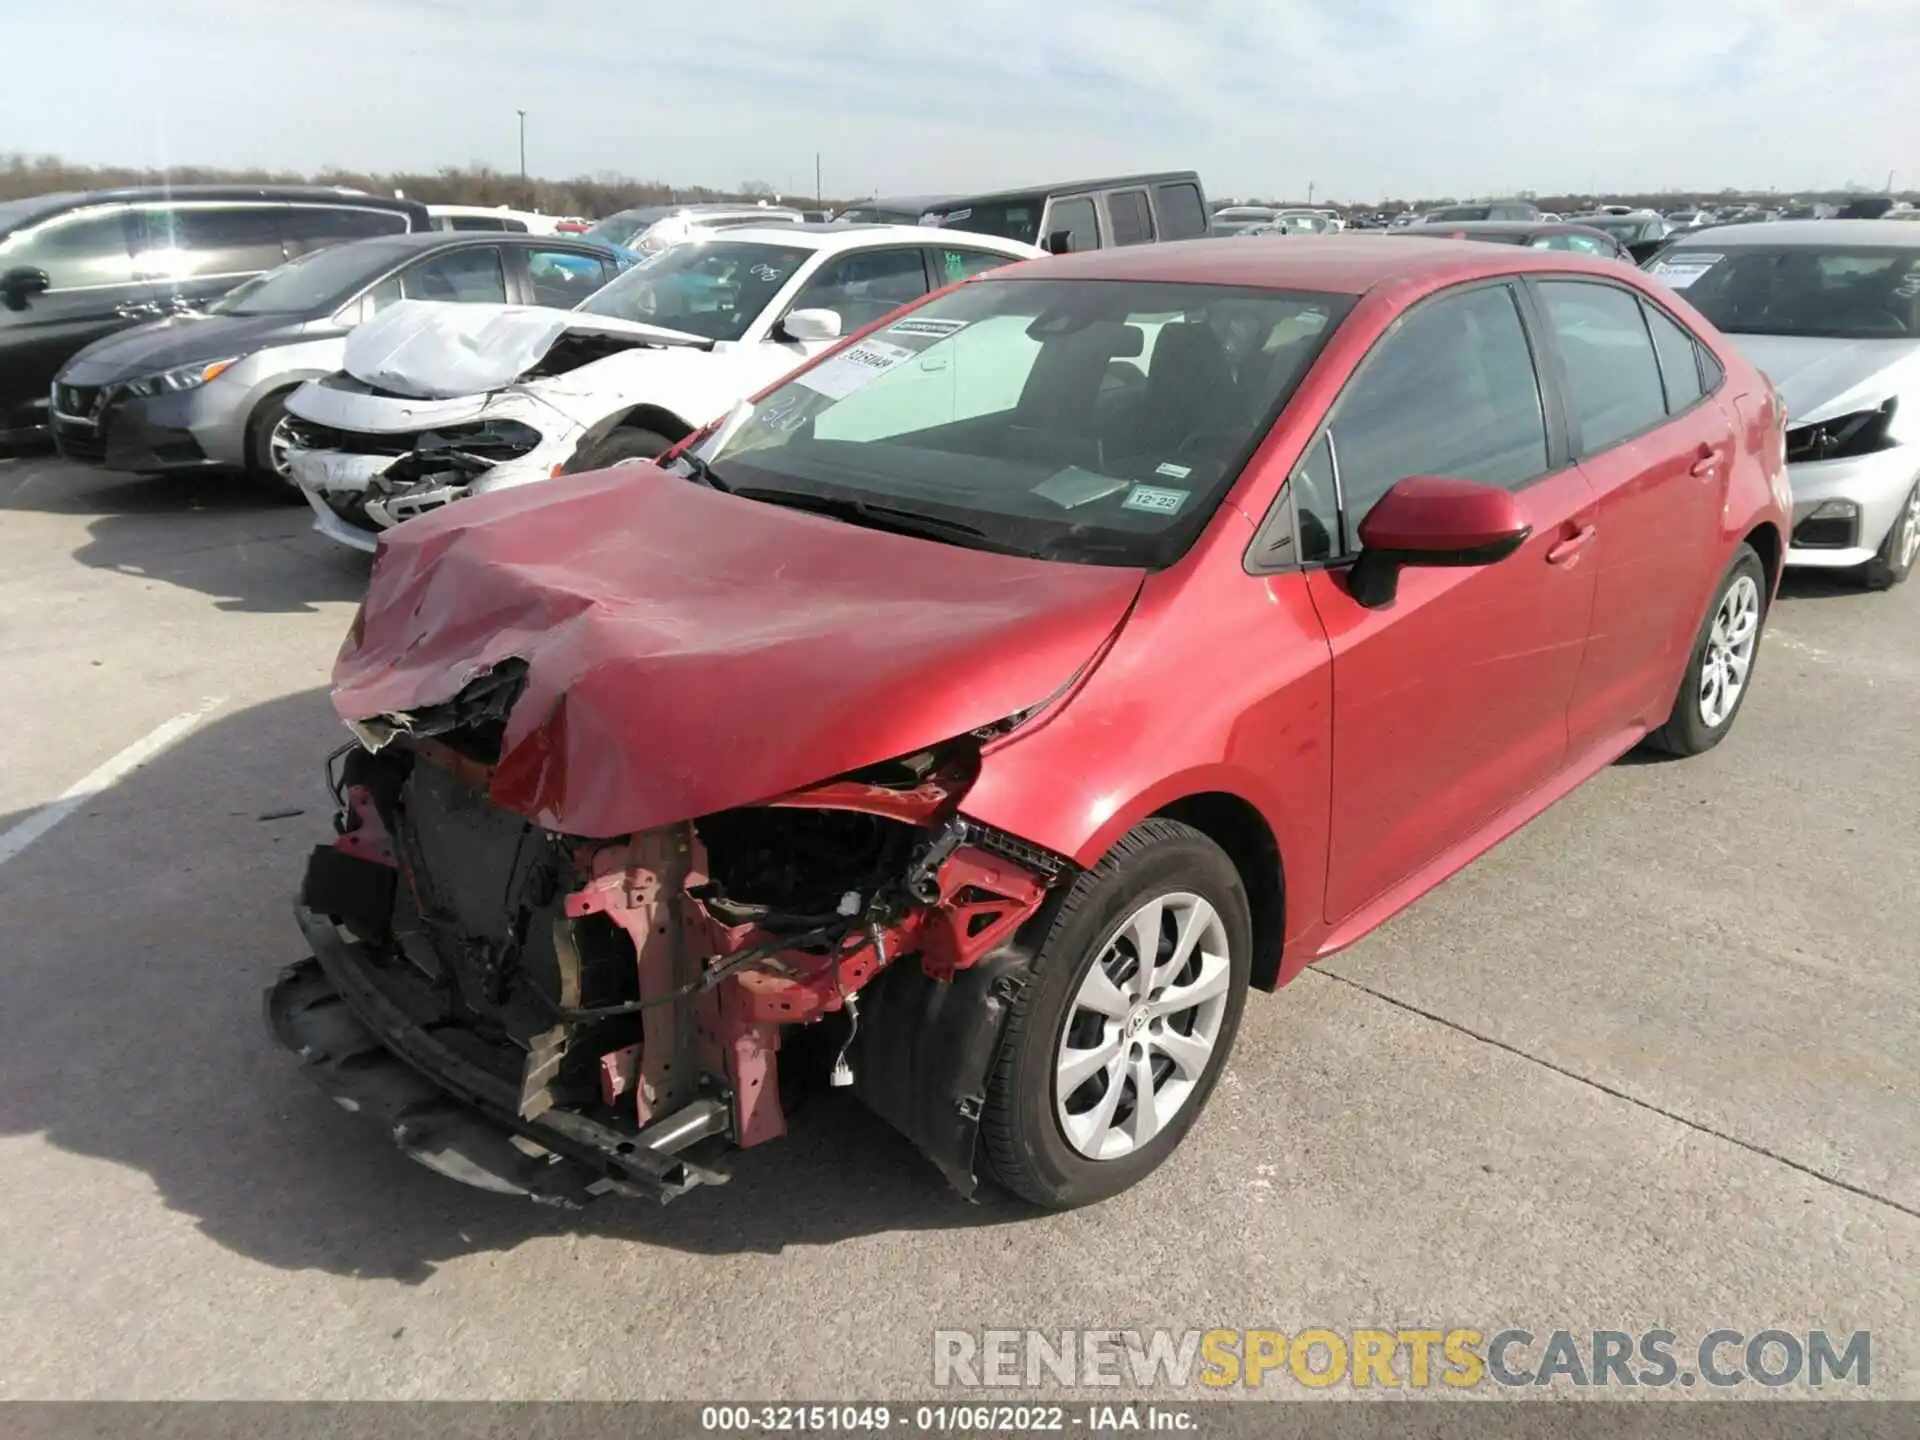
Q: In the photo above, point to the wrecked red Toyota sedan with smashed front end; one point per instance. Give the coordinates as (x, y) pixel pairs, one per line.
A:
(986, 709)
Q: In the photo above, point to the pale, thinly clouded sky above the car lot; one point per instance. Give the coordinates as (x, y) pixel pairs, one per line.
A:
(1360, 99)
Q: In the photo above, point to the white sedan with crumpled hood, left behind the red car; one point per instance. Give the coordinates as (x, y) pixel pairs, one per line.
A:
(439, 402)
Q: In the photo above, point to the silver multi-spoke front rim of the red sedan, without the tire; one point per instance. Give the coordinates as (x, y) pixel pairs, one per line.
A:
(1143, 1026)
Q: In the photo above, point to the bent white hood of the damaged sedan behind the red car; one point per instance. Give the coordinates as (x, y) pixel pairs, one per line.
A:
(441, 350)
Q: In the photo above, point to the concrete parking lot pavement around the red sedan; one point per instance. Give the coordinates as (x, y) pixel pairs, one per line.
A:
(1652, 1063)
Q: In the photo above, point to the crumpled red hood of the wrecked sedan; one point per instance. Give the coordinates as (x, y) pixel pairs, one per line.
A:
(690, 652)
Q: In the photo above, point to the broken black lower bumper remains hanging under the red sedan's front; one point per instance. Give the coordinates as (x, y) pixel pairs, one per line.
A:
(456, 1118)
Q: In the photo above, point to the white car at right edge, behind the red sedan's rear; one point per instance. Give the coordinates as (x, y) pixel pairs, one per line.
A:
(1831, 314)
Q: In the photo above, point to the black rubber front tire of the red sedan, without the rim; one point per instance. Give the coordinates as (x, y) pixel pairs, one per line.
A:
(1024, 1141)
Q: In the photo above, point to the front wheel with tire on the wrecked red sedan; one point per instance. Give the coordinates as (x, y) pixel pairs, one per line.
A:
(1126, 1026)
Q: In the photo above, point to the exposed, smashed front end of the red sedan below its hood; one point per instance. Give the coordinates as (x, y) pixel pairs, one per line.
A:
(560, 1017)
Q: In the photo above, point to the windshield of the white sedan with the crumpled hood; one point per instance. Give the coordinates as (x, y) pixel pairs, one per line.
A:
(706, 287)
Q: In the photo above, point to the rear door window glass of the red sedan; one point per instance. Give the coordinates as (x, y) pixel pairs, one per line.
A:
(1614, 379)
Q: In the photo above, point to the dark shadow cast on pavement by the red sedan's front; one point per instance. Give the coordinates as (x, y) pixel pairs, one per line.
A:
(132, 1032)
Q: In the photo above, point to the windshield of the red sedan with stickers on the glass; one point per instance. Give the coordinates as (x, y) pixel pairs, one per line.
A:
(1086, 421)
